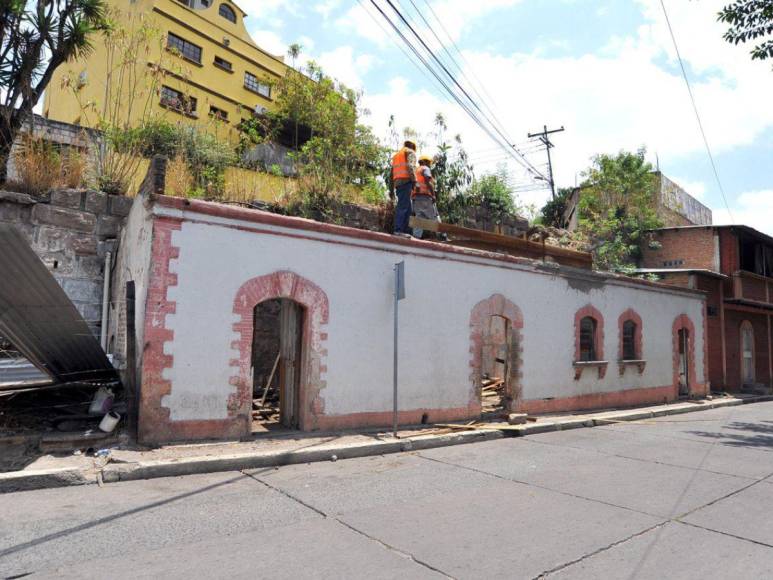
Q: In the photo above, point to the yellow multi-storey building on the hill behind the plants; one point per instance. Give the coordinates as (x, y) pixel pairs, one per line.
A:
(213, 74)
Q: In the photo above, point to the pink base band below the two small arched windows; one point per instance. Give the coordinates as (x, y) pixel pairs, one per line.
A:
(614, 399)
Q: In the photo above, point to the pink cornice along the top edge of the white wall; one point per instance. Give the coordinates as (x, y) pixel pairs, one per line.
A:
(257, 216)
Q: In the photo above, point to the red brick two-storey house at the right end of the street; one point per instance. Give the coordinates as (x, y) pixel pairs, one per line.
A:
(734, 266)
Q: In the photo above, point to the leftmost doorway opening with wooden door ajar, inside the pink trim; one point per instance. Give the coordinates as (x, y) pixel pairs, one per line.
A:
(276, 364)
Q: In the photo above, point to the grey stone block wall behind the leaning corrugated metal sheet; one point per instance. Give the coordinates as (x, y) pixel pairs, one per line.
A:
(71, 230)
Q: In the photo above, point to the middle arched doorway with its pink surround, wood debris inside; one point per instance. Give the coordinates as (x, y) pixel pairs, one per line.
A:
(495, 335)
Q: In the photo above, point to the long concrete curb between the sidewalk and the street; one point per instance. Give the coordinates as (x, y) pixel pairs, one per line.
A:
(115, 472)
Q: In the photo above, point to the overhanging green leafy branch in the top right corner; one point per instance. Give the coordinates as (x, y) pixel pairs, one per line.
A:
(750, 20)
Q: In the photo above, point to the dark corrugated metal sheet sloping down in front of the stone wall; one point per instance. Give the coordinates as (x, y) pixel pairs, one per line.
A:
(40, 320)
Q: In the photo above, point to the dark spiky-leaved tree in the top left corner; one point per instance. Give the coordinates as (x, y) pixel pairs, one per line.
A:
(36, 37)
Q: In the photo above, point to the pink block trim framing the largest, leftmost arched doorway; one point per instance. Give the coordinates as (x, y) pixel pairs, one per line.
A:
(283, 284)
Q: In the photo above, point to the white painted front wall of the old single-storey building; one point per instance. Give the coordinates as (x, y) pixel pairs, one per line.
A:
(434, 348)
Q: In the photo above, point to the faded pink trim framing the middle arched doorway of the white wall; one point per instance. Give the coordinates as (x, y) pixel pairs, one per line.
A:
(495, 305)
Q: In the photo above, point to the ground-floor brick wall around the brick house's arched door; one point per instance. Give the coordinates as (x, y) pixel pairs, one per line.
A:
(733, 320)
